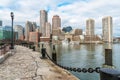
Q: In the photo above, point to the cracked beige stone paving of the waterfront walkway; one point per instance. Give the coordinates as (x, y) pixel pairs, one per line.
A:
(27, 65)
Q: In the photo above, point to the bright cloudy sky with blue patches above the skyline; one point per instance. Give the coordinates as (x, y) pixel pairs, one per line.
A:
(72, 12)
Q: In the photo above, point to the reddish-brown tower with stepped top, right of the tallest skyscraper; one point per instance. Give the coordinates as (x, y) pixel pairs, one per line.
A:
(56, 22)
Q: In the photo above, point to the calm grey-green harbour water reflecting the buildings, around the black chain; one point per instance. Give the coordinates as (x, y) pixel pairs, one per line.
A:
(86, 56)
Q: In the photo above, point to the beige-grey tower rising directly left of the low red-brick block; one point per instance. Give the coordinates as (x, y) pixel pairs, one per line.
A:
(28, 29)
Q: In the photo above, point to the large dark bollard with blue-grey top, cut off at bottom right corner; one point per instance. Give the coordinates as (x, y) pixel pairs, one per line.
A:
(109, 74)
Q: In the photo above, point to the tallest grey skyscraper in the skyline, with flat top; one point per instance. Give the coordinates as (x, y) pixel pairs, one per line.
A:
(43, 20)
